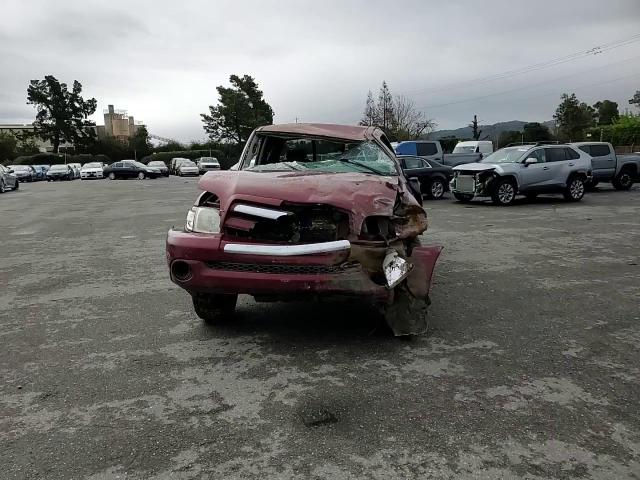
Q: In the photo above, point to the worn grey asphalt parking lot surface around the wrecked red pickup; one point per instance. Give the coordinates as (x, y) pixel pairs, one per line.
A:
(531, 369)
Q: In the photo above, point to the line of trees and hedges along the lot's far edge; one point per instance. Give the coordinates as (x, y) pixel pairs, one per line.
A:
(62, 118)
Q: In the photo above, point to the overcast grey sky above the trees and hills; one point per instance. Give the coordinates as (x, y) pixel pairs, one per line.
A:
(316, 60)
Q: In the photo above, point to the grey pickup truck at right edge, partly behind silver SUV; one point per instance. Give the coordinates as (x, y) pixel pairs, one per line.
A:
(621, 170)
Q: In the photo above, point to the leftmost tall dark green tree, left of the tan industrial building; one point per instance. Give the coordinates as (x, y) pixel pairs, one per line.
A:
(62, 113)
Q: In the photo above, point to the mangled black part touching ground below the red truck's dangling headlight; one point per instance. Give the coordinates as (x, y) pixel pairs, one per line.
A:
(406, 315)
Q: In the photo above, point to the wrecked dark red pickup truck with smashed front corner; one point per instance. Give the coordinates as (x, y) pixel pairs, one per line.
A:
(312, 211)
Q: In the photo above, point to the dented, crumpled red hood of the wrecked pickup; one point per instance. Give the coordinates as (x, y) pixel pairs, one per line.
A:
(359, 194)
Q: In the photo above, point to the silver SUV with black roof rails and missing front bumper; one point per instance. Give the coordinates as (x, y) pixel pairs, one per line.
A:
(526, 169)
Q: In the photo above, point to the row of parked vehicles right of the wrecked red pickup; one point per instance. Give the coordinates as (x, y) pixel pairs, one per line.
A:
(529, 170)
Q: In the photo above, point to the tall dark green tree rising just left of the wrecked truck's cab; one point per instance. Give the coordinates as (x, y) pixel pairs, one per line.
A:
(241, 108)
